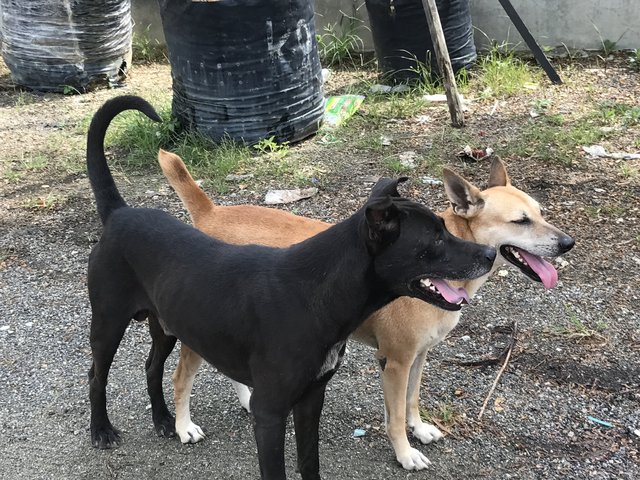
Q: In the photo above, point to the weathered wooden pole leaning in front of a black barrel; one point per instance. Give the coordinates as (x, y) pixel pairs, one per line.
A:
(444, 62)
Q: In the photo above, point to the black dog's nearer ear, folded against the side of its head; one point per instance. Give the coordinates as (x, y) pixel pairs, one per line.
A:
(383, 223)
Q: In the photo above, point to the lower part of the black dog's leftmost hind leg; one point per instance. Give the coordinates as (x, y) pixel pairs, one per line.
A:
(104, 344)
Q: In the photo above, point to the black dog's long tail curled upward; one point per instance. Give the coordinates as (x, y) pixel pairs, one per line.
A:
(104, 188)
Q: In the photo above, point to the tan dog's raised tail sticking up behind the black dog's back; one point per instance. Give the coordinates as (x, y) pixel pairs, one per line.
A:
(194, 199)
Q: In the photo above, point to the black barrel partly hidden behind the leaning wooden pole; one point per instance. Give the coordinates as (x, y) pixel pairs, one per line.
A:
(401, 35)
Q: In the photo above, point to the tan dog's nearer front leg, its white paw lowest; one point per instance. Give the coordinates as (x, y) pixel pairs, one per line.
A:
(395, 377)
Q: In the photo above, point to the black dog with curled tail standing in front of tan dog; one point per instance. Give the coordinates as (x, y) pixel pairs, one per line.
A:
(274, 319)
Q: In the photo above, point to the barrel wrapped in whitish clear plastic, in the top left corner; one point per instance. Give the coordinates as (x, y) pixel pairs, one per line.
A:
(50, 45)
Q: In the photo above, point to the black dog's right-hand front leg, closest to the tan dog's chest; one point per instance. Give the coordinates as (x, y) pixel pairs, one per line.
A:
(306, 418)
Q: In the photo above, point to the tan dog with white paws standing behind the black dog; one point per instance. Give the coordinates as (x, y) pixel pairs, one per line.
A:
(404, 331)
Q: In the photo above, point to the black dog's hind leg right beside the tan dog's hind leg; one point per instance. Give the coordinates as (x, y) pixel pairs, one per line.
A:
(161, 348)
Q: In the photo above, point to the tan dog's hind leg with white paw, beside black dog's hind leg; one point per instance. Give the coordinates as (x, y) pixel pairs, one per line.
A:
(183, 377)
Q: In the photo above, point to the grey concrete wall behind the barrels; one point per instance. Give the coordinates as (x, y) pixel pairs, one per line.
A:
(574, 23)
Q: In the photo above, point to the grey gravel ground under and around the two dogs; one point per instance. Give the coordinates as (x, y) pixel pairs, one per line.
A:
(575, 355)
